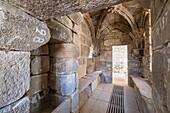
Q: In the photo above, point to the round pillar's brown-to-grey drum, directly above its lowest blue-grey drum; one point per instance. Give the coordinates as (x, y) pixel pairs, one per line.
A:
(63, 65)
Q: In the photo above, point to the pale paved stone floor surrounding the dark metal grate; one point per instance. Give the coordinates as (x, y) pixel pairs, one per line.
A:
(99, 100)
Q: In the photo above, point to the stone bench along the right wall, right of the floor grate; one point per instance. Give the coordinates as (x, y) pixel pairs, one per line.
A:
(143, 94)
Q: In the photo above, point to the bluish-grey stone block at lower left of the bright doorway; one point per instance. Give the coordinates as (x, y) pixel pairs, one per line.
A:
(106, 77)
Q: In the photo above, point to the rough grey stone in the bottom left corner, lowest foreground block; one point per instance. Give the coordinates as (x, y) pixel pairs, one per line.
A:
(20, 106)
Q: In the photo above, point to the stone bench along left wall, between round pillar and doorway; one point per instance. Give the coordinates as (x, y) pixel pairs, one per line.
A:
(87, 84)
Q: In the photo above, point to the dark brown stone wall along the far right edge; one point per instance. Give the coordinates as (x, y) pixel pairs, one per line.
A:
(160, 33)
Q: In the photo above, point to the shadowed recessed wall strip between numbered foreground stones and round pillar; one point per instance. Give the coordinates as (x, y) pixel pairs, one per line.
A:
(39, 74)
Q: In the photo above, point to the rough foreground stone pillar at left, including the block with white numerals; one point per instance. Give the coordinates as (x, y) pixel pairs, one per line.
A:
(20, 33)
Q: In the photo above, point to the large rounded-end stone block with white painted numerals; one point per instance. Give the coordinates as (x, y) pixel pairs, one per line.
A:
(20, 31)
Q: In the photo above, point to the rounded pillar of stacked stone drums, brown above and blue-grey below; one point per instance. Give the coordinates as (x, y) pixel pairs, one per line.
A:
(64, 52)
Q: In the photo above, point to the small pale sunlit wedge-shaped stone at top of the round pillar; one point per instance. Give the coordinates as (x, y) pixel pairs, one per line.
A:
(65, 21)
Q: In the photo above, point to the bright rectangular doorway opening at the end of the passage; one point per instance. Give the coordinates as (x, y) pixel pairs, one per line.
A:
(120, 64)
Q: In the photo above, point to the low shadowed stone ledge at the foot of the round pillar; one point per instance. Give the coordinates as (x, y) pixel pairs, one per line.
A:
(51, 103)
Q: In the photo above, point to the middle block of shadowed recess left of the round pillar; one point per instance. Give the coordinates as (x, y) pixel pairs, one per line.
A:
(39, 65)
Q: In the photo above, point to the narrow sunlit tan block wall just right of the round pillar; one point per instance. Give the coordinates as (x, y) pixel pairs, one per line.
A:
(85, 44)
